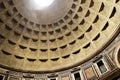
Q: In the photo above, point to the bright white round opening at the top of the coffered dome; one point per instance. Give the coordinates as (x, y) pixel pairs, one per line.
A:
(41, 4)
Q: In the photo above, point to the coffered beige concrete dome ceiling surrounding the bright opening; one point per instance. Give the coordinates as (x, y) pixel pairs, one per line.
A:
(66, 33)
